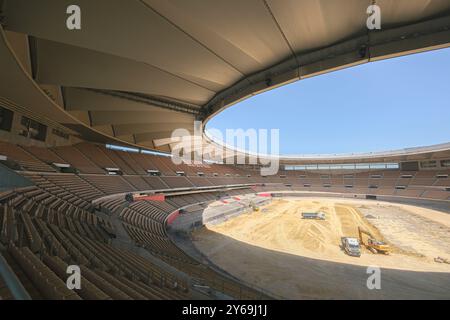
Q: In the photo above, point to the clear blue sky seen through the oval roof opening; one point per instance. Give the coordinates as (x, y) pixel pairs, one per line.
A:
(385, 105)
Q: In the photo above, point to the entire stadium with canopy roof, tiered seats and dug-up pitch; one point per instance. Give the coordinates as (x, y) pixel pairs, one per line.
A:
(111, 187)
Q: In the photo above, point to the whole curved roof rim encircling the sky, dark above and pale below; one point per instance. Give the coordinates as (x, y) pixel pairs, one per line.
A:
(420, 37)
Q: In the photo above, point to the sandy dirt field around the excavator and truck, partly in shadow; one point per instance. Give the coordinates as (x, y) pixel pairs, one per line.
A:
(277, 250)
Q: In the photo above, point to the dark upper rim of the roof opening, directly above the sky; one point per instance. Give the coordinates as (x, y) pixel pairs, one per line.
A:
(375, 46)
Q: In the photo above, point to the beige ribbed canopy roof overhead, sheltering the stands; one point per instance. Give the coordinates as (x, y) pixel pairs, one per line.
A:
(139, 69)
